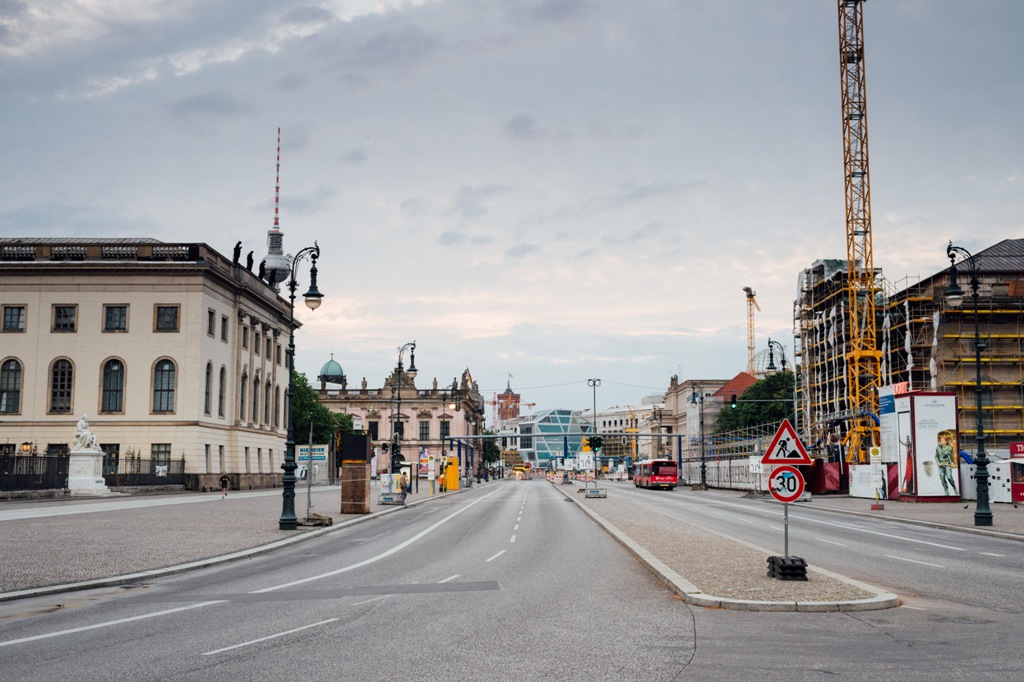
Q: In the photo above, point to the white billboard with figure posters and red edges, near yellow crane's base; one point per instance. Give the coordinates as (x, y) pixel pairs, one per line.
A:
(929, 446)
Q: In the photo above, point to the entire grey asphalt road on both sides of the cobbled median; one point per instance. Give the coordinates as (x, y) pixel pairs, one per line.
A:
(511, 582)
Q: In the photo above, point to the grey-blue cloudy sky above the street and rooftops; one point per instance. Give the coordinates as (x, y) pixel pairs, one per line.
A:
(552, 190)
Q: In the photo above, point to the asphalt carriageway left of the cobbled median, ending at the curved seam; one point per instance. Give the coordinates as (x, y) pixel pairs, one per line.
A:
(507, 582)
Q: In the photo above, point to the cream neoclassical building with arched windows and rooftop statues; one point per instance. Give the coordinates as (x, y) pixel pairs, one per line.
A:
(176, 353)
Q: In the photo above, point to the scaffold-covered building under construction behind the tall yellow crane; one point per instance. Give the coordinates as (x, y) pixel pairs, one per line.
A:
(925, 346)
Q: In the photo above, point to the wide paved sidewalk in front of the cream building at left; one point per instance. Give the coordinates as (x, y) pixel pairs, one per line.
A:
(60, 546)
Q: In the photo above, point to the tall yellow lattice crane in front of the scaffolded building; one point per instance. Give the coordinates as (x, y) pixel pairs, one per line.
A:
(863, 357)
